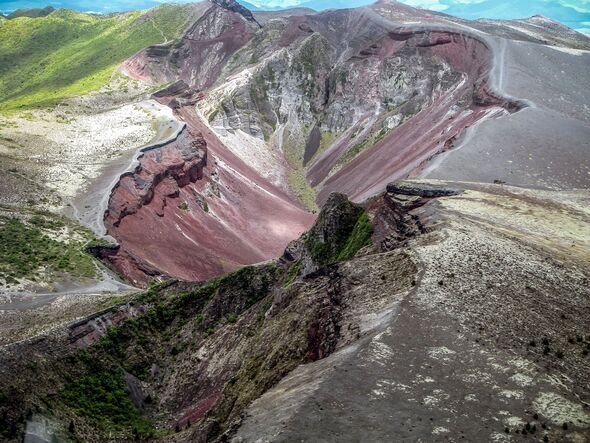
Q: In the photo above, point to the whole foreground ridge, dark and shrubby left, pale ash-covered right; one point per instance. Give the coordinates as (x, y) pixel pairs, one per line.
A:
(437, 310)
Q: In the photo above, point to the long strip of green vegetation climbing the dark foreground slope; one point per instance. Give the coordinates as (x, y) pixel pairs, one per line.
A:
(98, 391)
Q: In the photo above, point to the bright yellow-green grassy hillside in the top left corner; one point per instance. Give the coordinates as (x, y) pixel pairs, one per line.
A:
(43, 60)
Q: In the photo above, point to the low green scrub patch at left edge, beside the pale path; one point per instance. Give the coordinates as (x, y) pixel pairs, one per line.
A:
(26, 248)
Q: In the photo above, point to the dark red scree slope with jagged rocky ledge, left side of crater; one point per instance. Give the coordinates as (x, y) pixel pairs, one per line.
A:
(193, 211)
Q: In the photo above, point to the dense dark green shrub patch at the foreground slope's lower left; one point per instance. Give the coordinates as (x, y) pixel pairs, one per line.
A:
(103, 397)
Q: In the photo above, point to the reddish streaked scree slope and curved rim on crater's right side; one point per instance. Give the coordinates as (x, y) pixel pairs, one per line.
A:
(432, 130)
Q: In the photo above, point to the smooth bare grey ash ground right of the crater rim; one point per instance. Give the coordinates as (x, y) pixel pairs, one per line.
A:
(546, 145)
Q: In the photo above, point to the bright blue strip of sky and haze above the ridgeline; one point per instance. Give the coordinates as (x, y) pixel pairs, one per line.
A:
(573, 13)
